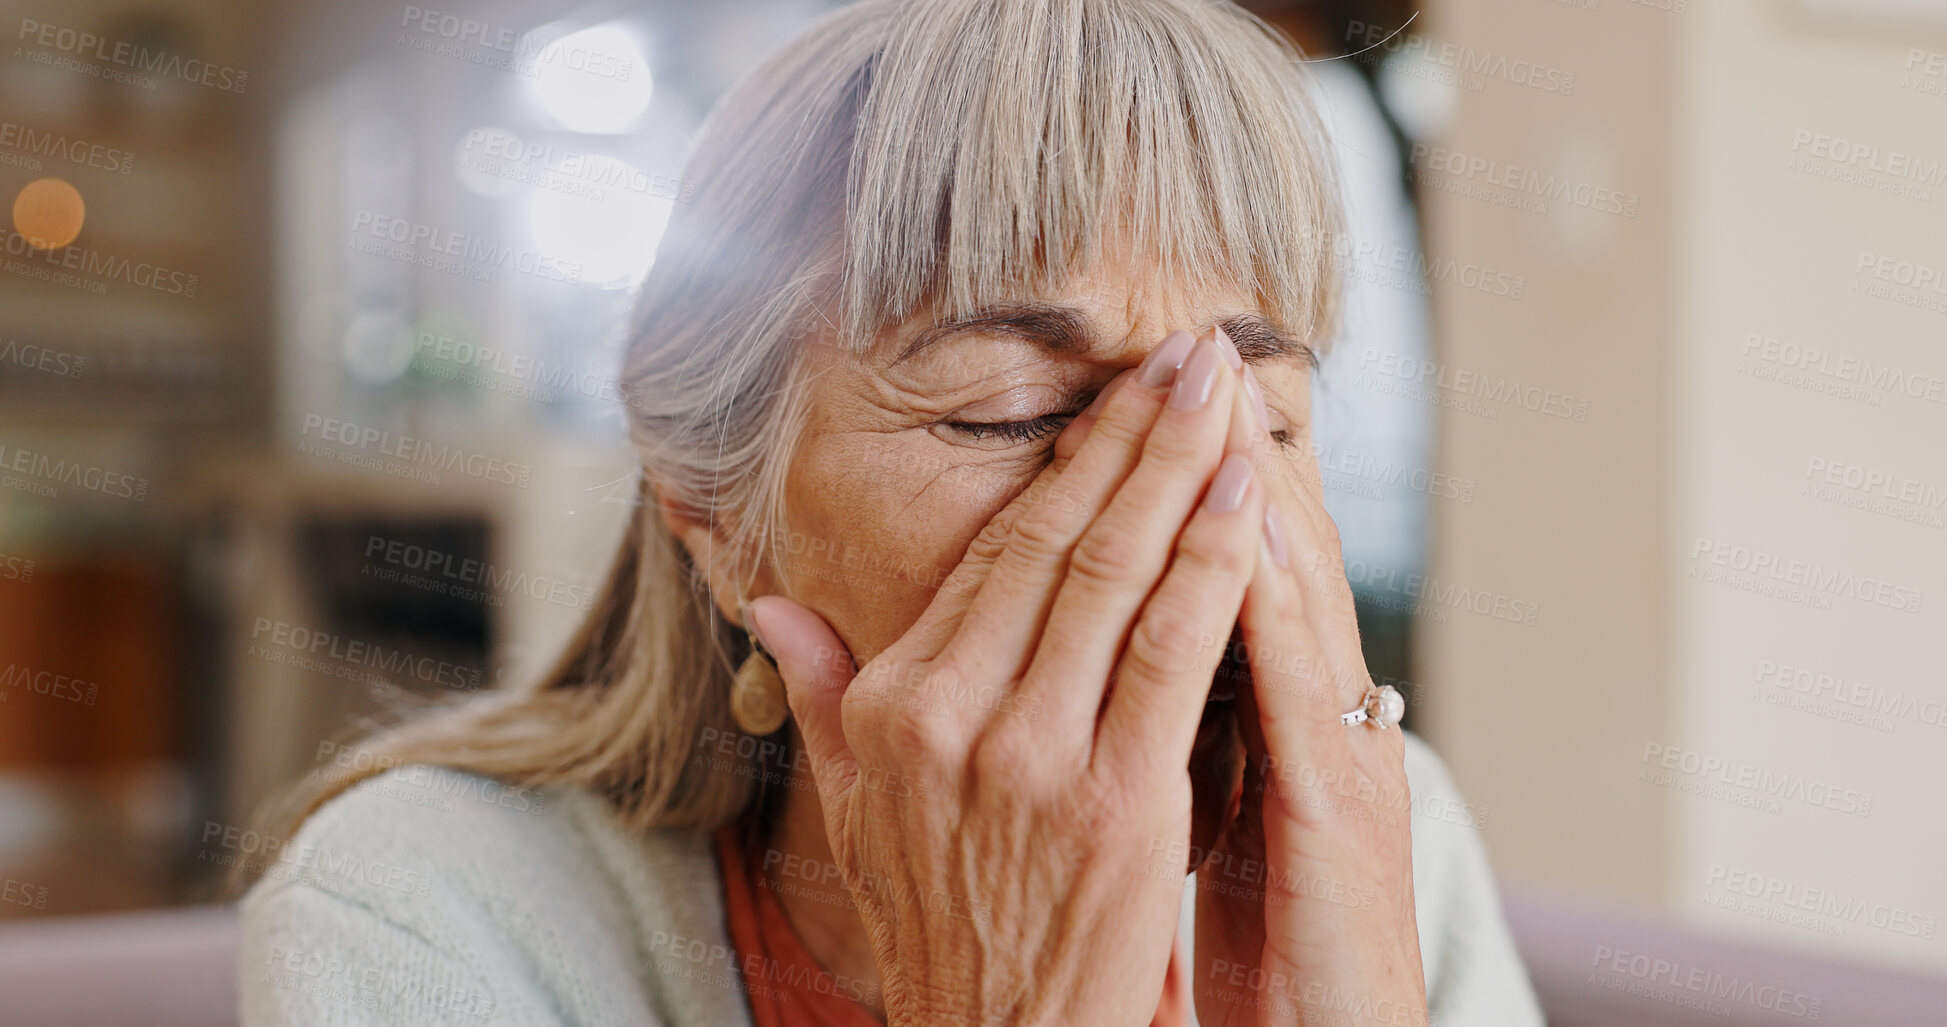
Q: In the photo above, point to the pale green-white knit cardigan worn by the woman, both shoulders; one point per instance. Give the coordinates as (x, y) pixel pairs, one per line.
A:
(427, 897)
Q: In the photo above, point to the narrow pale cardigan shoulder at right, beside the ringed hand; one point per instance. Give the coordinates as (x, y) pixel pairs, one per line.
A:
(1475, 973)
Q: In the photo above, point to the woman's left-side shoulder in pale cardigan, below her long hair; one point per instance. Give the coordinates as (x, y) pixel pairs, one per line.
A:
(523, 901)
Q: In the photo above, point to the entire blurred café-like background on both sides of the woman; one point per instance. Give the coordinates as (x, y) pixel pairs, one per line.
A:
(1635, 432)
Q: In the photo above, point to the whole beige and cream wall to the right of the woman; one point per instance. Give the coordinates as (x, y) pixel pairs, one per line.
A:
(1708, 445)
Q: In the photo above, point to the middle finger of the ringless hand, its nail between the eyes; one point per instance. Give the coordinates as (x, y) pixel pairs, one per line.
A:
(1124, 554)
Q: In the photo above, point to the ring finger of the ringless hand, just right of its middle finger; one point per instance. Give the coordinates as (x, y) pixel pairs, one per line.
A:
(1181, 636)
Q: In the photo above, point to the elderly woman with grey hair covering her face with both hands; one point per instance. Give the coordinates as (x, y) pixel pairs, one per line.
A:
(980, 650)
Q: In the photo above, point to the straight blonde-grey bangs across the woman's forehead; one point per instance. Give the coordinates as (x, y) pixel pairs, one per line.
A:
(1002, 145)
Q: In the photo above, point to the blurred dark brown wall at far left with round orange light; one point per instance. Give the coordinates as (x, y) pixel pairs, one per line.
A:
(131, 361)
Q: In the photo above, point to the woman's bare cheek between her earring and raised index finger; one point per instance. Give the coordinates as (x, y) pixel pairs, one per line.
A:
(873, 529)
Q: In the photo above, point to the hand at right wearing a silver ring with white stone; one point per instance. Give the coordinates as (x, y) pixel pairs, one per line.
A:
(1305, 905)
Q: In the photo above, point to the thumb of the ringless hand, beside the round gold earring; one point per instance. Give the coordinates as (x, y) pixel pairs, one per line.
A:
(817, 669)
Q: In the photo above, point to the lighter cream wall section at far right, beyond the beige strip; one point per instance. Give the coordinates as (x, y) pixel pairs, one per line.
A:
(1814, 434)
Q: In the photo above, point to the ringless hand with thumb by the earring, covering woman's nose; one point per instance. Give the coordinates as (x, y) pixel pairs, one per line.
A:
(1047, 703)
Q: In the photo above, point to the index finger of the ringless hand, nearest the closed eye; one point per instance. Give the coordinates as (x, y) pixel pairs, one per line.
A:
(1006, 617)
